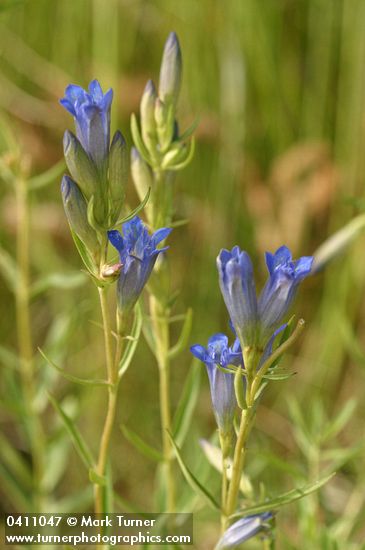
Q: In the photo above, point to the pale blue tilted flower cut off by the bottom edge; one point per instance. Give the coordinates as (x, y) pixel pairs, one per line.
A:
(242, 530)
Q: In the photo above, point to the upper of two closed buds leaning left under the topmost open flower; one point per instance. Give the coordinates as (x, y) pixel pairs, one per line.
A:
(81, 167)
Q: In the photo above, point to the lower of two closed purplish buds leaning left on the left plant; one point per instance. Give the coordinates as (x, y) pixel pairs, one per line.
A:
(76, 211)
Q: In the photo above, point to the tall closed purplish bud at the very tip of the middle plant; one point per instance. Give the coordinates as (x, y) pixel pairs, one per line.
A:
(171, 71)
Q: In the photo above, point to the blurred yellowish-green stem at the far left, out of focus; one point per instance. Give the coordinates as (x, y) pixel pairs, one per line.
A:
(25, 343)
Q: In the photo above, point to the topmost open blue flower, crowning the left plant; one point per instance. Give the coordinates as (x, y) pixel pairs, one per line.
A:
(91, 111)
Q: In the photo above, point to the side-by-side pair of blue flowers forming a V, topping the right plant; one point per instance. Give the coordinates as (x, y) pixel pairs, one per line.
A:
(255, 320)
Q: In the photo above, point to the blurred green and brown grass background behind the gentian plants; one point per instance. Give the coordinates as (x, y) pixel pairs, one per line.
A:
(279, 91)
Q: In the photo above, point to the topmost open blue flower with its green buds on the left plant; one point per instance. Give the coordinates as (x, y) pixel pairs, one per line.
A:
(99, 170)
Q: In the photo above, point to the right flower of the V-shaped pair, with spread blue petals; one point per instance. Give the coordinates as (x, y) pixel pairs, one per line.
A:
(277, 296)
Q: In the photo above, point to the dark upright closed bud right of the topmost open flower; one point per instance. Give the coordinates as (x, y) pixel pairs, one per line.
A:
(118, 173)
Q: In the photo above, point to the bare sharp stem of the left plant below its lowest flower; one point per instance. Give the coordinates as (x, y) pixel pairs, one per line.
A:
(112, 402)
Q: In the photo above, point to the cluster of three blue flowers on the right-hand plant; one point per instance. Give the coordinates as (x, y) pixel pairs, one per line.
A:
(256, 321)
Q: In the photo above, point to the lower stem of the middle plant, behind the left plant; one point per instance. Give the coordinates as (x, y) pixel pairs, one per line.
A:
(162, 337)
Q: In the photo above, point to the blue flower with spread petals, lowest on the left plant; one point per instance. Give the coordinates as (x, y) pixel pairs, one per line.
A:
(138, 254)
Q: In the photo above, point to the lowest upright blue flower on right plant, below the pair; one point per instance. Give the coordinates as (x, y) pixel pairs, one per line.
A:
(222, 391)
